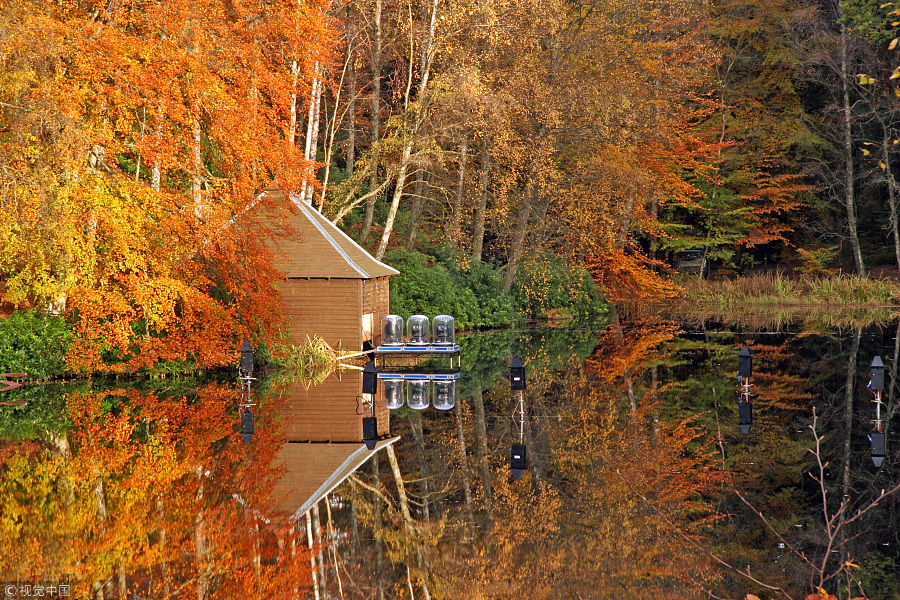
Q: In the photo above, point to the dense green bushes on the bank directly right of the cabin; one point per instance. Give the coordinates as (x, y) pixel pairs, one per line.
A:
(472, 296)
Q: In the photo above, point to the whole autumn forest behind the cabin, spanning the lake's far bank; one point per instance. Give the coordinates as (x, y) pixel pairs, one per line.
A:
(509, 158)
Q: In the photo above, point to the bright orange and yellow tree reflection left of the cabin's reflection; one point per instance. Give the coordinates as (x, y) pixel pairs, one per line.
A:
(147, 496)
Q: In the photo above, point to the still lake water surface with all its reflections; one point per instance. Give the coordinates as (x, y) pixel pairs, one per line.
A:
(638, 481)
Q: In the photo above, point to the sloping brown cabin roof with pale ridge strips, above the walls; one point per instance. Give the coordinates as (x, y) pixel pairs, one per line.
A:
(319, 249)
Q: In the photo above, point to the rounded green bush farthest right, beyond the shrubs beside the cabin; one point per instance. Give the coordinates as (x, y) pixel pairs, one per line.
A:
(545, 283)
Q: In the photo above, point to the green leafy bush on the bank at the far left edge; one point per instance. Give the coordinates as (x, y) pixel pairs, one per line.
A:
(34, 343)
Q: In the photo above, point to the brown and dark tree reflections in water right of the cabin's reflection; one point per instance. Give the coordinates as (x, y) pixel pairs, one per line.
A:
(639, 480)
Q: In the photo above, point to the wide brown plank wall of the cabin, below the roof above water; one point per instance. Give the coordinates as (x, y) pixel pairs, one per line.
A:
(330, 308)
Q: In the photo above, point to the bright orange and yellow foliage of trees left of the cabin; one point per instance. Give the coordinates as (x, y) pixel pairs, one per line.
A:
(133, 133)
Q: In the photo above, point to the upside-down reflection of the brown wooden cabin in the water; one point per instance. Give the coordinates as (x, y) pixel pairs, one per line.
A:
(323, 439)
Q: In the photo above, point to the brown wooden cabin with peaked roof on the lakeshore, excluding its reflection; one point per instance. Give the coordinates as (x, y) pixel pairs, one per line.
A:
(332, 287)
